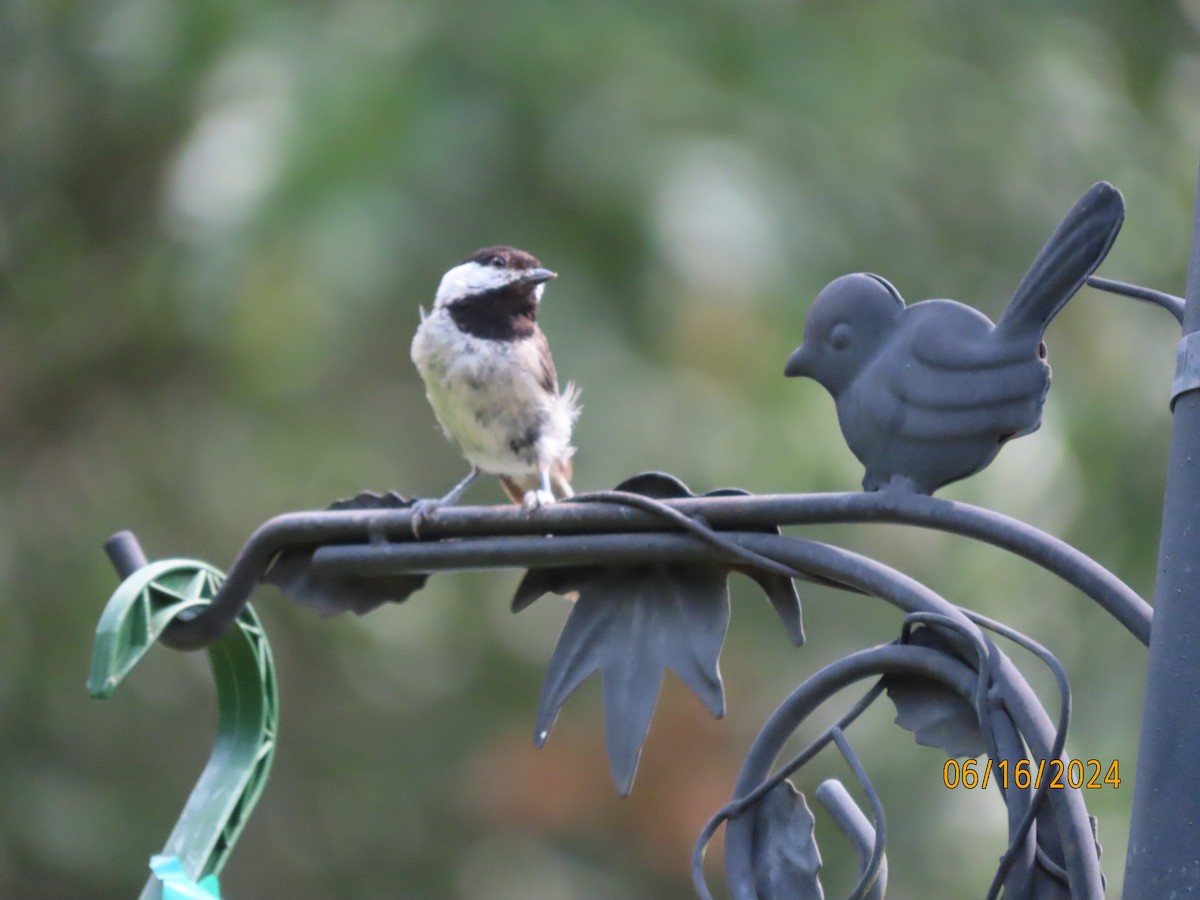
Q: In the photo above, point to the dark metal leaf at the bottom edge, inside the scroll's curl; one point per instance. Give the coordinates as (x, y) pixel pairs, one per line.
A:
(787, 859)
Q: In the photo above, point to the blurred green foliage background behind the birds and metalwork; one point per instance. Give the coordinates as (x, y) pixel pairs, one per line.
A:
(218, 221)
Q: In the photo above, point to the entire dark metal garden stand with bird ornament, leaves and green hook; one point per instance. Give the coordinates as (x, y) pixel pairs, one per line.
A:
(650, 565)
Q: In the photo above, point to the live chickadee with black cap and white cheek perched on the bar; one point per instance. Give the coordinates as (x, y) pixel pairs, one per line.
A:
(491, 380)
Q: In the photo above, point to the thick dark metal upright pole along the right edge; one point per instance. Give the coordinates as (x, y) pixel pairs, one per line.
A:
(1165, 832)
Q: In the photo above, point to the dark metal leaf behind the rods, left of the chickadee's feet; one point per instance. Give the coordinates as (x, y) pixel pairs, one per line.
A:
(292, 572)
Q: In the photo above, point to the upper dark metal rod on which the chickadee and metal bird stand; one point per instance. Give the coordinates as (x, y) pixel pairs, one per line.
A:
(580, 518)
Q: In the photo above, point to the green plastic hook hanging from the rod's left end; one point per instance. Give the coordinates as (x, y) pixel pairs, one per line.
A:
(248, 704)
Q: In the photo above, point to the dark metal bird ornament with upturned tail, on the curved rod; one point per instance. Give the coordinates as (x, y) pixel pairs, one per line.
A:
(928, 394)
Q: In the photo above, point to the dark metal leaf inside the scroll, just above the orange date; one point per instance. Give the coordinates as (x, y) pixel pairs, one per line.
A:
(935, 715)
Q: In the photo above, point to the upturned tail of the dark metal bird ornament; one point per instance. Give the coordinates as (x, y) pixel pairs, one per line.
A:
(1075, 251)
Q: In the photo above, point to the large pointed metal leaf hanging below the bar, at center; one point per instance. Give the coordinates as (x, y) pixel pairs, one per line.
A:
(632, 625)
